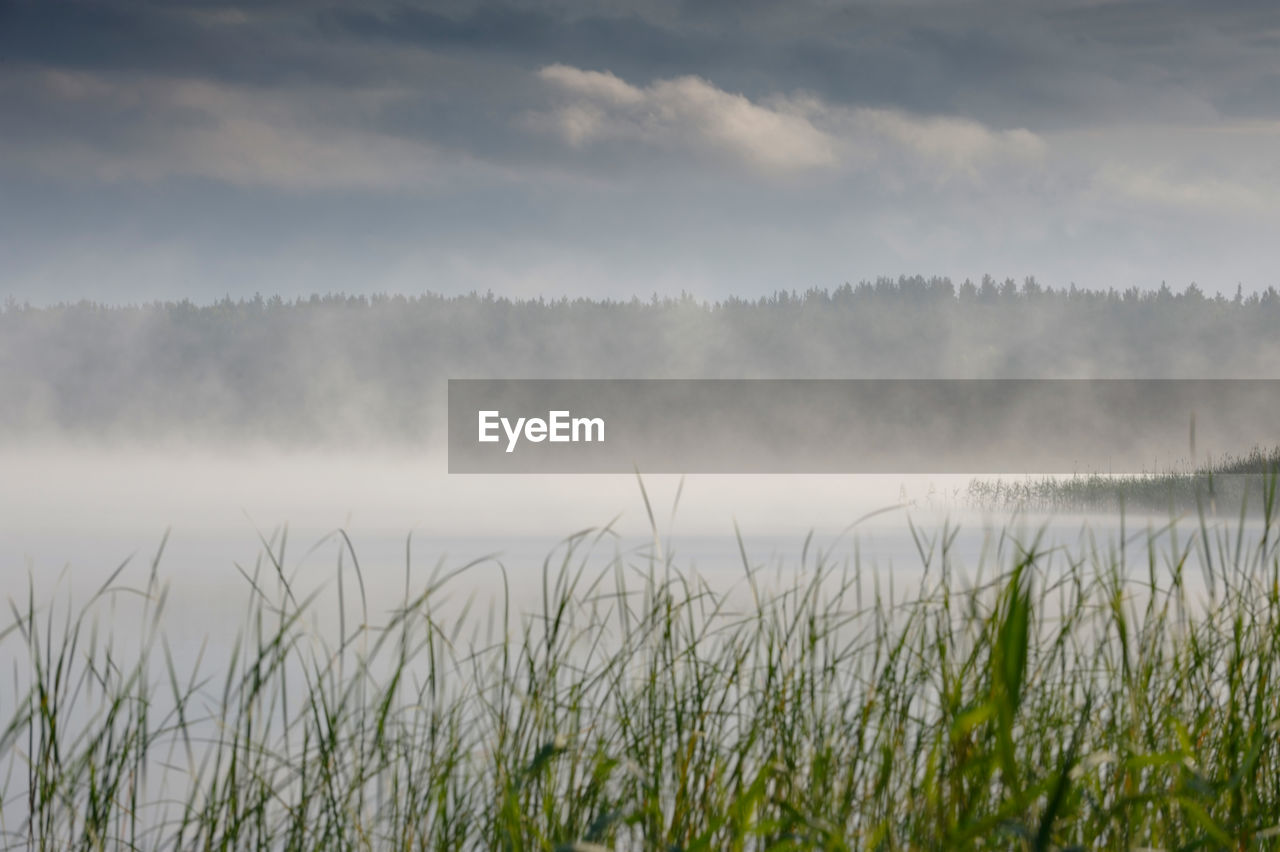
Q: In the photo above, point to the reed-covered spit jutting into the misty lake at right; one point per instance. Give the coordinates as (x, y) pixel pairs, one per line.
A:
(1218, 487)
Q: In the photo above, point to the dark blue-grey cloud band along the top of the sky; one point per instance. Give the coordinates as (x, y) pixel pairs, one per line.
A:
(1007, 65)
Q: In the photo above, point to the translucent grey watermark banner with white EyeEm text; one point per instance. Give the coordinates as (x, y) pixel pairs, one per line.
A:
(857, 427)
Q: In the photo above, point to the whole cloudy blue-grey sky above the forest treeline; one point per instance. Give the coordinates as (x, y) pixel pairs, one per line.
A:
(198, 149)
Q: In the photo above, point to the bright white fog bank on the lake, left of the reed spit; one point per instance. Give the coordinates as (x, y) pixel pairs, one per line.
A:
(93, 509)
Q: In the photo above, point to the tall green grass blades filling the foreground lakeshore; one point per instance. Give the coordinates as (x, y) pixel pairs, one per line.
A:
(1045, 699)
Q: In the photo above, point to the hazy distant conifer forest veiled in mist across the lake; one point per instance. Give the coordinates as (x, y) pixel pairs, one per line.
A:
(332, 369)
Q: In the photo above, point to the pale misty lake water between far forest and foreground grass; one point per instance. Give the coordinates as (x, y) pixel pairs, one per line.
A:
(70, 516)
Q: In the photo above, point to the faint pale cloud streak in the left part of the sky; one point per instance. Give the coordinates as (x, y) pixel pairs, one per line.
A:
(235, 135)
